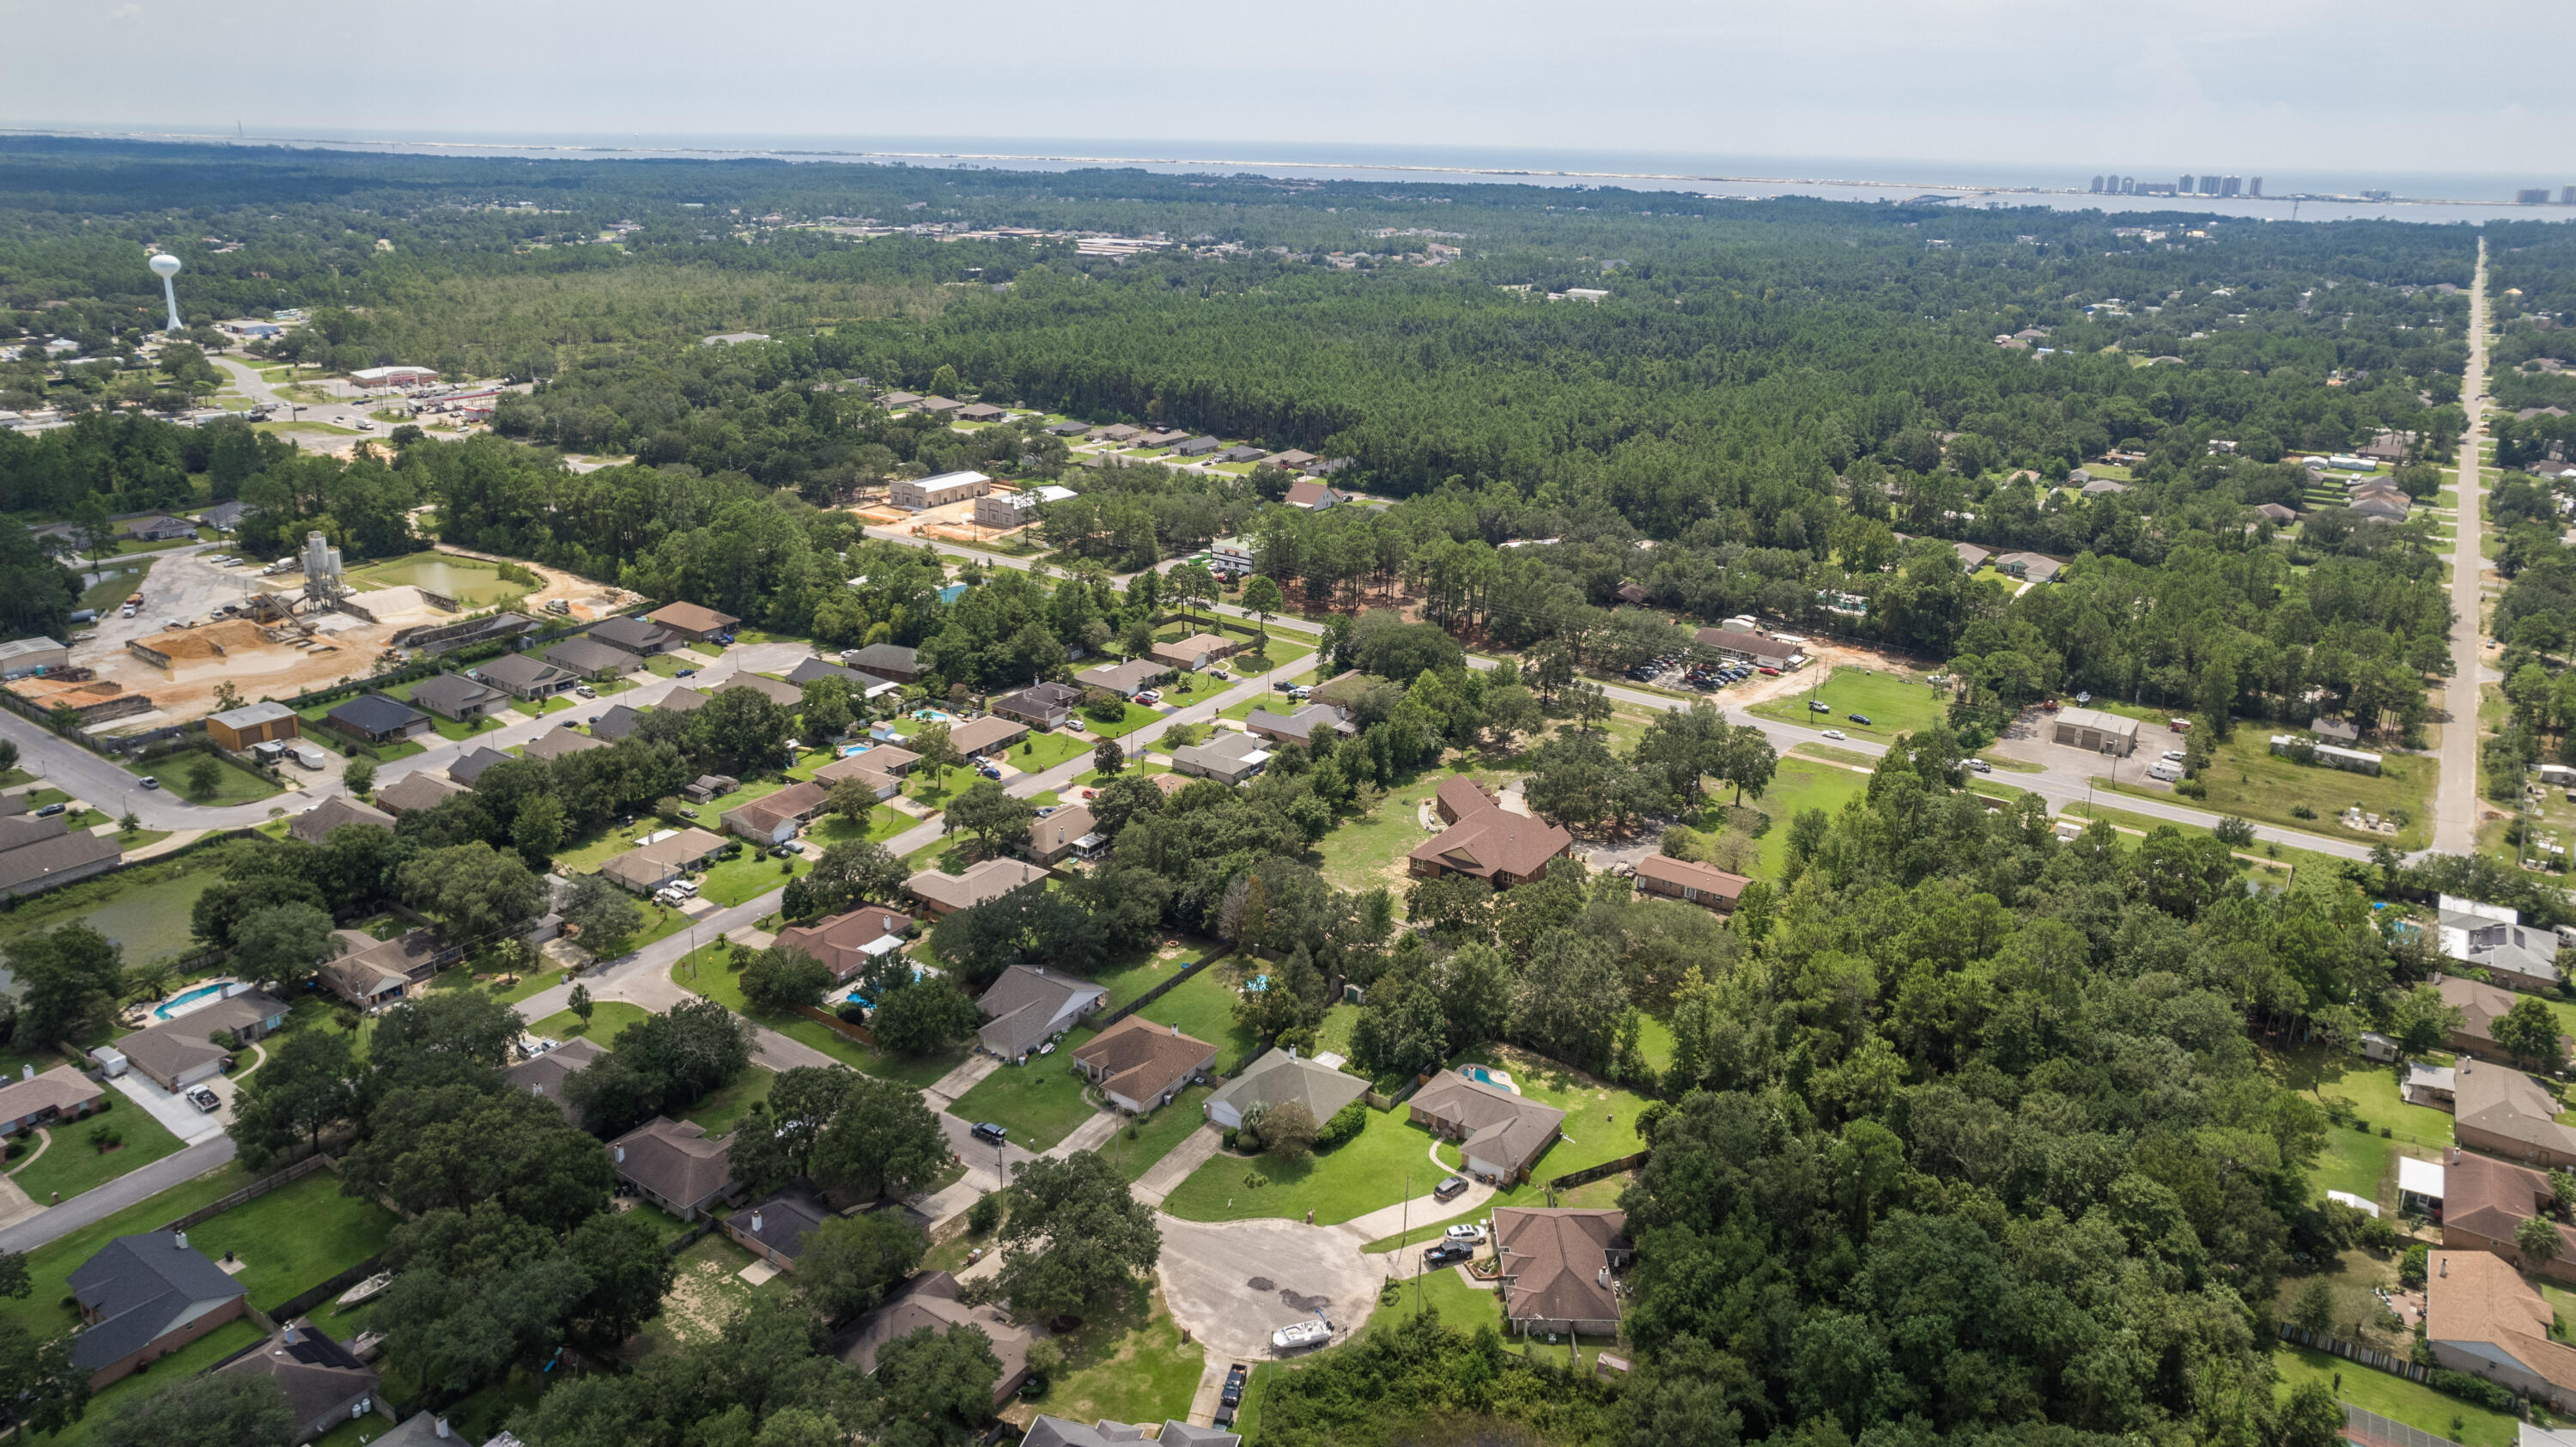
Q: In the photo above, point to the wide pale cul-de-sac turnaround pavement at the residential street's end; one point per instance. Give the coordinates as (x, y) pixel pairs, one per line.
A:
(1233, 1284)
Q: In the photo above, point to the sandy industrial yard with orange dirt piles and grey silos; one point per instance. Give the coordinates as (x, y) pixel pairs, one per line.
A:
(277, 632)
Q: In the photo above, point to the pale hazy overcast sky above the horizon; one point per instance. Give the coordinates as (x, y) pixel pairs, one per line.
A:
(2142, 86)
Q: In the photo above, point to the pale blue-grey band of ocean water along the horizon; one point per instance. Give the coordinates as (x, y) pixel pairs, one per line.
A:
(2289, 194)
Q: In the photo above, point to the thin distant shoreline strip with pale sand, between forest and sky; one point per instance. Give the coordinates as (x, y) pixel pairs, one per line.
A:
(1287, 169)
